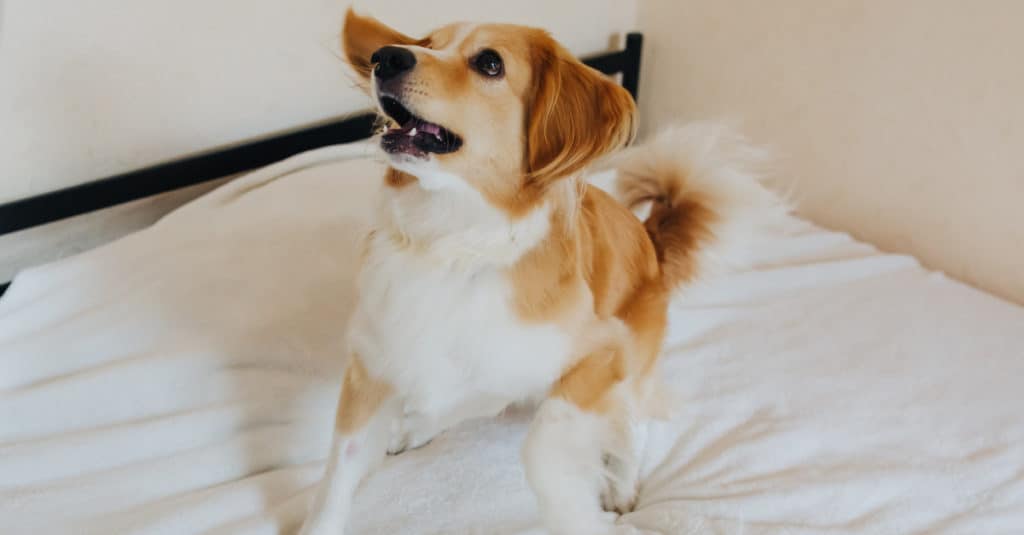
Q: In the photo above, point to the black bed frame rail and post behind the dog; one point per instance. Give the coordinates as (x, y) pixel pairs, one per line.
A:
(97, 195)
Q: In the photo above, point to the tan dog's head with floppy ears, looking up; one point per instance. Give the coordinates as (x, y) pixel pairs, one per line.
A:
(502, 109)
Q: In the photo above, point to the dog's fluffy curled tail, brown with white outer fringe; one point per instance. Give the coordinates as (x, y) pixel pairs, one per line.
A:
(707, 204)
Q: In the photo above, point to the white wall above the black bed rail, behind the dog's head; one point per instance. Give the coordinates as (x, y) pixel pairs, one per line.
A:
(94, 88)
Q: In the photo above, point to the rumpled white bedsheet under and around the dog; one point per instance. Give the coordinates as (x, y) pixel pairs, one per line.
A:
(184, 381)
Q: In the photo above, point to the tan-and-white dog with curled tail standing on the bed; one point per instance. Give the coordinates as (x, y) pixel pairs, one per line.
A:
(497, 274)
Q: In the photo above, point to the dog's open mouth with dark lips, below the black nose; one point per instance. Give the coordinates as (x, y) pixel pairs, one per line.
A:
(414, 136)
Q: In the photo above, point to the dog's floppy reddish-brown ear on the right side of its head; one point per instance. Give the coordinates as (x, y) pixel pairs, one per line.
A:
(576, 115)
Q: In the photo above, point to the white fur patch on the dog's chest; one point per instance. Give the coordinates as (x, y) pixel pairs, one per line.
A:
(437, 321)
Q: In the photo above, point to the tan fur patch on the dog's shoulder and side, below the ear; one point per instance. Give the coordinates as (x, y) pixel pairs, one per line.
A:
(610, 254)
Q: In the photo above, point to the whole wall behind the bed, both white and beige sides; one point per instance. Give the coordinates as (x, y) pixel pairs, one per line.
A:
(901, 121)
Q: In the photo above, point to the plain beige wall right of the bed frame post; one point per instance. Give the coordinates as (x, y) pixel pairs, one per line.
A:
(902, 121)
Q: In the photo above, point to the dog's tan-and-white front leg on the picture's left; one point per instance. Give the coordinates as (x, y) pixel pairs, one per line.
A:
(366, 410)
